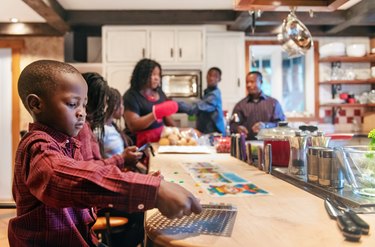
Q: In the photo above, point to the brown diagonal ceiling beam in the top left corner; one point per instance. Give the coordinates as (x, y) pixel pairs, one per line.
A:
(52, 12)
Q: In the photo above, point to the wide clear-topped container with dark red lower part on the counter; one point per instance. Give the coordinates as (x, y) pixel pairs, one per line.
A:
(278, 138)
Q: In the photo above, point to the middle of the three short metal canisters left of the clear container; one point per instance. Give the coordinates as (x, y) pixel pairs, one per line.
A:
(325, 166)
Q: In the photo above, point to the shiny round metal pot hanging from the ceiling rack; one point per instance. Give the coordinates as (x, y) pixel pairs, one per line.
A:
(295, 38)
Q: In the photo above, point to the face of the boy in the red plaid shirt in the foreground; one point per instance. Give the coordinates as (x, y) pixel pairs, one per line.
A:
(65, 108)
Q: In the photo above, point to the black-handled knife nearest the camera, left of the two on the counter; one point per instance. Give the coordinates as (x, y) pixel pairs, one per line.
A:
(350, 230)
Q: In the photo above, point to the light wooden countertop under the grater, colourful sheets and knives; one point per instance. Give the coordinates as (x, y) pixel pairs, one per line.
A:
(288, 217)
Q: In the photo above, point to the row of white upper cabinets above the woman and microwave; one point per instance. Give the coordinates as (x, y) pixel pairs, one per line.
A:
(177, 45)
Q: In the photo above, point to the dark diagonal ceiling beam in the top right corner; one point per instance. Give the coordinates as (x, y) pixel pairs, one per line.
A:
(355, 15)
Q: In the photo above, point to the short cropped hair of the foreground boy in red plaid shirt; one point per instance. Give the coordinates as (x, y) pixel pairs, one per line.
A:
(40, 78)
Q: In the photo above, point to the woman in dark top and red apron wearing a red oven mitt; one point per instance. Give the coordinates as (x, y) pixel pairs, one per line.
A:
(147, 108)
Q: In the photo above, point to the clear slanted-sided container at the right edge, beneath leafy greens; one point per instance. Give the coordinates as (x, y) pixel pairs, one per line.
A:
(358, 164)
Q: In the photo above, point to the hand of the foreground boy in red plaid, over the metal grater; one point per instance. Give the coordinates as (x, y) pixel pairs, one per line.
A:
(175, 201)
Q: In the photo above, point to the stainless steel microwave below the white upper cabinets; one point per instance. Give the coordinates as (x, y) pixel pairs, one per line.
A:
(182, 83)
